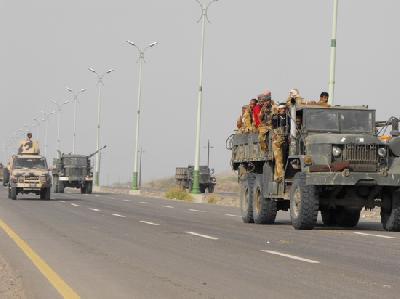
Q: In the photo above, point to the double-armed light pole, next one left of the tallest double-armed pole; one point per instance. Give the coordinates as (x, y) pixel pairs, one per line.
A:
(141, 60)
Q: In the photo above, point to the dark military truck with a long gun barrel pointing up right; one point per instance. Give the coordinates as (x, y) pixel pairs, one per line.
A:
(73, 171)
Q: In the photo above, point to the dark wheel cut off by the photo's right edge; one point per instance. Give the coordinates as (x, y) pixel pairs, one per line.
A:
(390, 211)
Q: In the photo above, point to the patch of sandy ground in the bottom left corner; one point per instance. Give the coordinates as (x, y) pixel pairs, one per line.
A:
(10, 283)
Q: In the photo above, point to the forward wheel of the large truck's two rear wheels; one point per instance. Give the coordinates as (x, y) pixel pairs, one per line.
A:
(264, 209)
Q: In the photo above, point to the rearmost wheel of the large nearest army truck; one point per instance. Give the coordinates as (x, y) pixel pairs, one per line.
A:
(246, 198)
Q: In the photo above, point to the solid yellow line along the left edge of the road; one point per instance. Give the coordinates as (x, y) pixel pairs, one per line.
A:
(55, 280)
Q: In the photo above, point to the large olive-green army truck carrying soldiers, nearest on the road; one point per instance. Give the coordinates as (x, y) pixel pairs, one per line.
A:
(335, 163)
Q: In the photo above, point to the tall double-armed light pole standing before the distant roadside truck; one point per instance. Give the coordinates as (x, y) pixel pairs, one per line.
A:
(196, 172)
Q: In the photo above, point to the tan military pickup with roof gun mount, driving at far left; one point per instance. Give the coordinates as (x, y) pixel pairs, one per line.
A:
(28, 173)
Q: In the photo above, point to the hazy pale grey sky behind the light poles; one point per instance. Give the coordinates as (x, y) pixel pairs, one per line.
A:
(251, 46)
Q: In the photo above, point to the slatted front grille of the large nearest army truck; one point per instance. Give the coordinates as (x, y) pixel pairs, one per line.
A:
(361, 157)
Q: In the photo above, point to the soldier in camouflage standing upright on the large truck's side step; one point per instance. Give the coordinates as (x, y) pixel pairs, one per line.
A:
(279, 124)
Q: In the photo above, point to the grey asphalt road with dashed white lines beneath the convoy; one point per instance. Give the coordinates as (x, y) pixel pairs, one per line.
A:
(119, 246)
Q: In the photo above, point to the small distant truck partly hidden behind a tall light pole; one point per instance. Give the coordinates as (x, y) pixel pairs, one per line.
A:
(184, 178)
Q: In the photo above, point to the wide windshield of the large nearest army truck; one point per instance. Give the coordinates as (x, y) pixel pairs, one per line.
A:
(345, 121)
